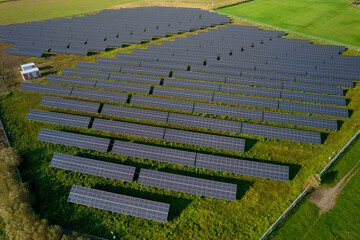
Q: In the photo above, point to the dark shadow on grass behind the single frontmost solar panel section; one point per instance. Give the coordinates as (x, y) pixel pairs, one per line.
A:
(177, 205)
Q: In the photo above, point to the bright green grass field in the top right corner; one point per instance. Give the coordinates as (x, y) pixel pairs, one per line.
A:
(331, 20)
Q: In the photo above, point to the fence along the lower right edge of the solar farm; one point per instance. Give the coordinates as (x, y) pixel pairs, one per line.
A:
(303, 193)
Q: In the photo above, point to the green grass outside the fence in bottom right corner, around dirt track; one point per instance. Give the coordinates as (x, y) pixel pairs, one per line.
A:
(341, 222)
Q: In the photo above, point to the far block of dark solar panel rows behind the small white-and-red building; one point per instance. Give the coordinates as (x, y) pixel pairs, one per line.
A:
(149, 25)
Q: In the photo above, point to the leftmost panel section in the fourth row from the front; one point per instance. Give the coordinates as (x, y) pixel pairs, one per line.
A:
(58, 118)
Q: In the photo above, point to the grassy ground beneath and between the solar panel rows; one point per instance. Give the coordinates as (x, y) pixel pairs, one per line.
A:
(259, 201)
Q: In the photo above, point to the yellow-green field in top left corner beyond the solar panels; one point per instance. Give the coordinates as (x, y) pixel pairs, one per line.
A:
(25, 11)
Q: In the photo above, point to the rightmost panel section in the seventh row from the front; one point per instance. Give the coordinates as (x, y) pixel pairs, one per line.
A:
(312, 108)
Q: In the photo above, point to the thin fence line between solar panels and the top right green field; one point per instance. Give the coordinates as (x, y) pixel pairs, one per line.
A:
(291, 31)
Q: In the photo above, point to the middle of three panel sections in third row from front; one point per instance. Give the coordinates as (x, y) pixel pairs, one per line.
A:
(154, 153)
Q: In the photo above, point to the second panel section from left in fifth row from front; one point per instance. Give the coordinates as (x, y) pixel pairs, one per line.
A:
(136, 113)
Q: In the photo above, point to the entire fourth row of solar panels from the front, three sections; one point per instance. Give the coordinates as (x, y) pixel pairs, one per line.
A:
(139, 130)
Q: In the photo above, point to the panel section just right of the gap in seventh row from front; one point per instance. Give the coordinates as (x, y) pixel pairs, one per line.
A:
(182, 93)
